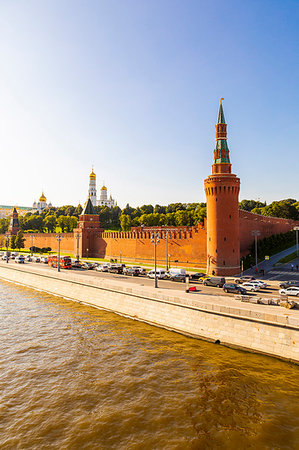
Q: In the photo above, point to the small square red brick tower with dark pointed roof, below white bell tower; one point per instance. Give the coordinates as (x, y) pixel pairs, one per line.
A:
(87, 233)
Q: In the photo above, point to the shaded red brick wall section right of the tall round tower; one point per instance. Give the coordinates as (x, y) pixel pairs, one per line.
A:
(265, 224)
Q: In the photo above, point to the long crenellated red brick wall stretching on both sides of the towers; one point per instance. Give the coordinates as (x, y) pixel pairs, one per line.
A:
(186, 245)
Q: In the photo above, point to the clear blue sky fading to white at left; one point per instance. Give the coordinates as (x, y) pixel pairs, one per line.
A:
(133, 87)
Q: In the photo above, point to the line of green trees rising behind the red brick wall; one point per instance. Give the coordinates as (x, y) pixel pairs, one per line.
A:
(65, 218)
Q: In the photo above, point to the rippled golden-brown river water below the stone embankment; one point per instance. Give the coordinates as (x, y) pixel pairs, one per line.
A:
(75, 377)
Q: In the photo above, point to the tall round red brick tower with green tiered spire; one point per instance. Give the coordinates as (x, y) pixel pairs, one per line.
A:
(222, 191)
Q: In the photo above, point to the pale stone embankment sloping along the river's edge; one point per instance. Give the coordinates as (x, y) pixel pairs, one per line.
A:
(267, 329)
